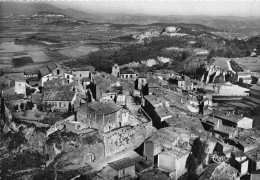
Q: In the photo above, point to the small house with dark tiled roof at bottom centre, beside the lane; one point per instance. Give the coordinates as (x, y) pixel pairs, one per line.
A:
(125, 168)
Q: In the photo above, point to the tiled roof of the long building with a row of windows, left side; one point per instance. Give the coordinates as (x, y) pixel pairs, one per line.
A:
(58, 96)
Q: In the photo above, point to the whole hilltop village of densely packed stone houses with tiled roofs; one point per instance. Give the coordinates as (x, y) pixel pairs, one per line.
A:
(156, 125)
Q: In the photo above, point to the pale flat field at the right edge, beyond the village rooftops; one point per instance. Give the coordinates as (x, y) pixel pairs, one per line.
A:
(250, 63)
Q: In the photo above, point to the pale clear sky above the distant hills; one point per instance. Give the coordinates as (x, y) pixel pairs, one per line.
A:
(166, 7)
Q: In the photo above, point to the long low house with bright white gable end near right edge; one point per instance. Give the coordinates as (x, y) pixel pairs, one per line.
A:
(233, 120)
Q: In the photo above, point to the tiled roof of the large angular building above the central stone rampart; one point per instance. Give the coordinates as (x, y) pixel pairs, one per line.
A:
(104, 107)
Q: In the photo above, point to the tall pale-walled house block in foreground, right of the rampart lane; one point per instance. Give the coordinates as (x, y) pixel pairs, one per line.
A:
(168, 148)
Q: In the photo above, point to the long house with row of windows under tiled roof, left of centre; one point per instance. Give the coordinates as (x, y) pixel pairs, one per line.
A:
(59, 100)
